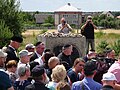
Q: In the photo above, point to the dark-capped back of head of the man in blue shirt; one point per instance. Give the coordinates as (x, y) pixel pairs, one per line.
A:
(90, 67)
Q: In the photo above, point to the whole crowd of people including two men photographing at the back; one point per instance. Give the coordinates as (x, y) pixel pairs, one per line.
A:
(37, 68)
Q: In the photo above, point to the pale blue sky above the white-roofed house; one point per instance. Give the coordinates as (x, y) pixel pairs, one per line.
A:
(84, 5)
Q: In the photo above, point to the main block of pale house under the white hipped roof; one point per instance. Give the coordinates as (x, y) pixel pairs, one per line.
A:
(72, 15)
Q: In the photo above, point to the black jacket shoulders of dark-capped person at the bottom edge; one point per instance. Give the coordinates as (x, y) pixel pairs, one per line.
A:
(36, 86)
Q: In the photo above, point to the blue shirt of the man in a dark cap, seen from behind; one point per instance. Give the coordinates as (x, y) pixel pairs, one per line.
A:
(88, 83)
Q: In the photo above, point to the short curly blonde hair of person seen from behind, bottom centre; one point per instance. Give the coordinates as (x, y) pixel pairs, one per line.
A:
(58, 73)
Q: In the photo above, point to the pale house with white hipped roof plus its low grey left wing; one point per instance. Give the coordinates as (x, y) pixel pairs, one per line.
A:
(72, 15)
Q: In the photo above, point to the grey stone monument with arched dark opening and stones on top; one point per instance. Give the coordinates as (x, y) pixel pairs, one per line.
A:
(55, 41)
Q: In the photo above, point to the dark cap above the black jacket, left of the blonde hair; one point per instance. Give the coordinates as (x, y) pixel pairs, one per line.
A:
(38, 71)
